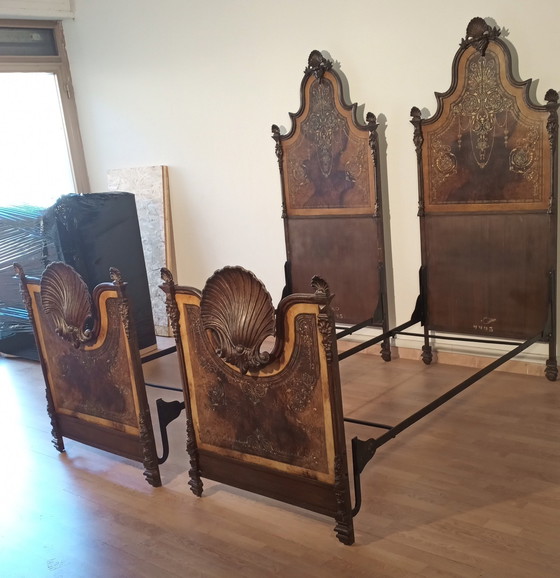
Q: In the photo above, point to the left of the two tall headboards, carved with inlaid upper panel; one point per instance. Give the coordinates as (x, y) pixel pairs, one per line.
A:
(329, 170)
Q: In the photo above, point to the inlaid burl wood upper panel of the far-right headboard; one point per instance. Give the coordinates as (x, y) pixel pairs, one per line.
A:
(489, 149)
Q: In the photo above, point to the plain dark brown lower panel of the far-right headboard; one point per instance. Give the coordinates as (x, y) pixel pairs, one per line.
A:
(488, 274)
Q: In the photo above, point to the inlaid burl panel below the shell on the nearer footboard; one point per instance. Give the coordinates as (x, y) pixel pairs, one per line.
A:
(281, 419)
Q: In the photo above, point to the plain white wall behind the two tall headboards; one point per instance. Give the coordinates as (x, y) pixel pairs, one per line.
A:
(196, 85)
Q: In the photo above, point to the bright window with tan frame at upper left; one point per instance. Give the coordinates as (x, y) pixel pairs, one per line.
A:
(41, 155)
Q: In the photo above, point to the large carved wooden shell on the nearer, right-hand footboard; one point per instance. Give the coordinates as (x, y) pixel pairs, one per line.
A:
(237, 311)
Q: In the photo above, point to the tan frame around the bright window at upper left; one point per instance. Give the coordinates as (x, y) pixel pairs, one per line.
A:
(60, 67)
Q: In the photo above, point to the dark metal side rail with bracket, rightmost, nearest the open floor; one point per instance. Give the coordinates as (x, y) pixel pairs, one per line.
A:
(363, 451)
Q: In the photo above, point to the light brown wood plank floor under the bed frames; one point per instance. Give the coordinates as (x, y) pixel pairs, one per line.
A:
(473, 490)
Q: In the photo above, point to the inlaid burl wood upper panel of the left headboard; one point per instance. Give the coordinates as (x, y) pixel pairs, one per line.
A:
(327, 160)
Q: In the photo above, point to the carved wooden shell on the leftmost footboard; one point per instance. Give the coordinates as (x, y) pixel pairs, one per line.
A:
(65, 297)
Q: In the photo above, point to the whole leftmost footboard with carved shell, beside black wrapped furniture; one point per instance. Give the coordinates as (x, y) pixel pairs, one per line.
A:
(91, 364)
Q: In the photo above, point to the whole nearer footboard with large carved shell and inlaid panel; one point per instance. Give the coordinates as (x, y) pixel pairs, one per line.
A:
(265, 420)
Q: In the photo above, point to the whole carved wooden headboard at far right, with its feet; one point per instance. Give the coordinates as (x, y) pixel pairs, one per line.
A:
(487, 167)
